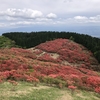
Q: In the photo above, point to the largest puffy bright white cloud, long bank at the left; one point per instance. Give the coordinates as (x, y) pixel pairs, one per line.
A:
(22, 13)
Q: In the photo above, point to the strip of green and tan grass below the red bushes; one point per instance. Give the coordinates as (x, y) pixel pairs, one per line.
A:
(26, 91)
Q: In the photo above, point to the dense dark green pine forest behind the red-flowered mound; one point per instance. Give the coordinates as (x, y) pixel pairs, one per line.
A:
(27, 40)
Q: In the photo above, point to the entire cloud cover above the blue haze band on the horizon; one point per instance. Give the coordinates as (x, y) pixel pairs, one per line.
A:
(56, 12)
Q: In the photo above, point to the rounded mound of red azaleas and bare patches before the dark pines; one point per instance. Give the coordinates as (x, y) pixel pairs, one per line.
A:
(66, 52)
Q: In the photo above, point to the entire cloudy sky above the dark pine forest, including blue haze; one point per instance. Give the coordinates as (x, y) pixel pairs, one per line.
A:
(81, 16)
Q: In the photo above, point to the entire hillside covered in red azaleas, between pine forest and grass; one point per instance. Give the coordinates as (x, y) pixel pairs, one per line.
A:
(61, 63)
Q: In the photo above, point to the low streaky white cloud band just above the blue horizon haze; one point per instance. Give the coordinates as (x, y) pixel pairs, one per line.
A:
(79, 20)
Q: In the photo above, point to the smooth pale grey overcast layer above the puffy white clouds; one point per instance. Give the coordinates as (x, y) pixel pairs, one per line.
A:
(55, 6)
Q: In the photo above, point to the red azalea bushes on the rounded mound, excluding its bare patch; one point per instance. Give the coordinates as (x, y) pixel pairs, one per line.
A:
(67, 51)
